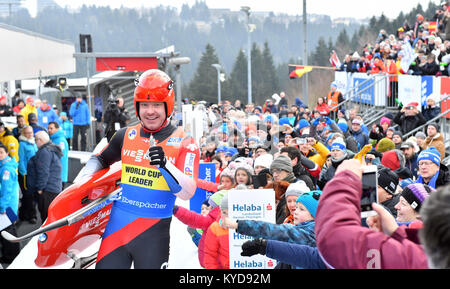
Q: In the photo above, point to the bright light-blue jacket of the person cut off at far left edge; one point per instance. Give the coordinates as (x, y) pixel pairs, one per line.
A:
(9, 185)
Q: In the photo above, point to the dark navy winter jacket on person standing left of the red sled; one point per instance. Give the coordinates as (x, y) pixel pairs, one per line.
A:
(44, 170)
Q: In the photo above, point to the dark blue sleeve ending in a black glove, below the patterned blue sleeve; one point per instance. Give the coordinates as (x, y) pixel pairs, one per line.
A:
(301, 256)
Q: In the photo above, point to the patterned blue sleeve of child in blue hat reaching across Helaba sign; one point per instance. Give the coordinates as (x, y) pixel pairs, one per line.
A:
(302, 233)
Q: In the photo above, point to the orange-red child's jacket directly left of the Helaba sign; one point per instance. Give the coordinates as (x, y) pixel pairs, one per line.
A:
(217, 250)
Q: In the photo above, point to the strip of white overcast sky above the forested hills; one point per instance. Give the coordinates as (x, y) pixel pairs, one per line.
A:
(333, 8)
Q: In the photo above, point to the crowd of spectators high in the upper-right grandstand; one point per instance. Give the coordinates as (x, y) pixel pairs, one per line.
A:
(428, 38)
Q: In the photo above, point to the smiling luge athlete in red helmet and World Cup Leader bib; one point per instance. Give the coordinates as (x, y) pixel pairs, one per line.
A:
(159, 164)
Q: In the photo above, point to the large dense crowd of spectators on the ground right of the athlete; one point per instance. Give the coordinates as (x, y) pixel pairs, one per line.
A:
(307, 157)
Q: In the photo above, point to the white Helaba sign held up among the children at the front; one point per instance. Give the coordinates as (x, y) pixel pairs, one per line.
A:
(249, 205)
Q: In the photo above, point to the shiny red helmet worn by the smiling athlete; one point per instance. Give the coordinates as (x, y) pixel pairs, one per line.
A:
(154, 86)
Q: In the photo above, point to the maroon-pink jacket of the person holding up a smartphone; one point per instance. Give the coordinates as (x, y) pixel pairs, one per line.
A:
(344, 243)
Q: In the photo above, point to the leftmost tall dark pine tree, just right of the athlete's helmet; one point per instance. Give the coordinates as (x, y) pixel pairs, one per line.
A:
(204, 84)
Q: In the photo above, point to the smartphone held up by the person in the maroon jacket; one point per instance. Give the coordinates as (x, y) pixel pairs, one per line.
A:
(369, 191)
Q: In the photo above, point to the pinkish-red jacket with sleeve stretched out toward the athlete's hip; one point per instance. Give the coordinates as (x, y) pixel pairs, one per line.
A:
(198, 221)
